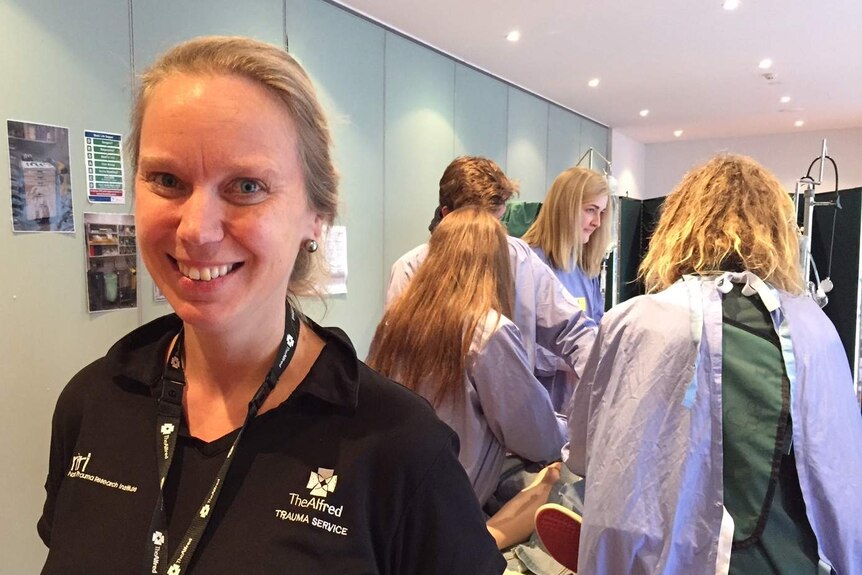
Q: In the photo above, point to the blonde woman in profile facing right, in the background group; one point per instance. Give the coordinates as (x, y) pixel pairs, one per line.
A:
(568, 235)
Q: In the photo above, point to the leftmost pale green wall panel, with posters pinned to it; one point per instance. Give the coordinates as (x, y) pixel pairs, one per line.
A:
(56, 70)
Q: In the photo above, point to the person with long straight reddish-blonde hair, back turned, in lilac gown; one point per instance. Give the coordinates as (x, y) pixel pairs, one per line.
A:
(449, 338)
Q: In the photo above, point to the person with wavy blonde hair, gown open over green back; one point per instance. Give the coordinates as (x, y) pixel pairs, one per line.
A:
(715, 412)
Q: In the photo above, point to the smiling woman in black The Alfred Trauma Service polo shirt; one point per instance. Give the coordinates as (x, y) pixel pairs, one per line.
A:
(237, 435)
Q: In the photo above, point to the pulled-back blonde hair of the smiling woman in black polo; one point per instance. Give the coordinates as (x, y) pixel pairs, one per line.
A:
(276, 71)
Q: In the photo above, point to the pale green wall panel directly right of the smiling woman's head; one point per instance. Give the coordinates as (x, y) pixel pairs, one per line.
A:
(348, 75)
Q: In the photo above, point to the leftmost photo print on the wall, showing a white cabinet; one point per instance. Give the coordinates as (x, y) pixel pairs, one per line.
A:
(41, 188)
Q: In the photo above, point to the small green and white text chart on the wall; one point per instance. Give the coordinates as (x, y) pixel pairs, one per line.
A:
(104, 153)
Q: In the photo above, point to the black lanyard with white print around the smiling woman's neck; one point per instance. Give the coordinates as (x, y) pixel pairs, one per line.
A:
(170, 413)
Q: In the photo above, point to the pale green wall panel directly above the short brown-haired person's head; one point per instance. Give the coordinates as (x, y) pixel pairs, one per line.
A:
(481, 107)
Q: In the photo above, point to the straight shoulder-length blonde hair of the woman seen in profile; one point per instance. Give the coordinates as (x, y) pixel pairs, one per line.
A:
(557, 229)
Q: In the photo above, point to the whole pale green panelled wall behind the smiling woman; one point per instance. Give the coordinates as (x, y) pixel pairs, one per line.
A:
(399, 111)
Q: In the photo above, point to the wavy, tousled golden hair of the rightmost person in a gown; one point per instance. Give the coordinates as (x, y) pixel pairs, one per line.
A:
(730, 214)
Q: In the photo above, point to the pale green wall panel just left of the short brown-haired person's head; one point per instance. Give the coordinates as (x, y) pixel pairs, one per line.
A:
(419, 141)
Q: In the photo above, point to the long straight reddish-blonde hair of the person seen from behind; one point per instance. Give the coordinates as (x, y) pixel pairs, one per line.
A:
(425, 336)
